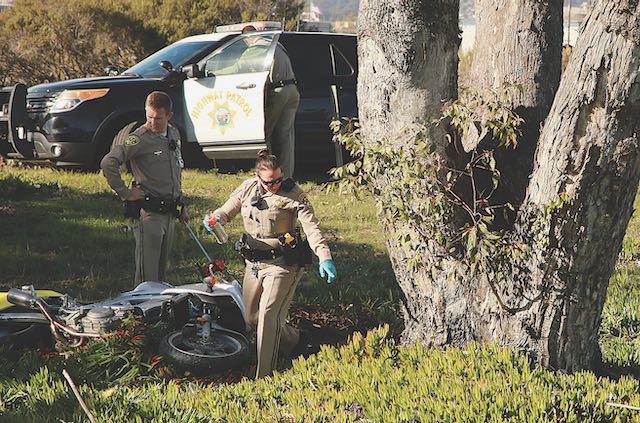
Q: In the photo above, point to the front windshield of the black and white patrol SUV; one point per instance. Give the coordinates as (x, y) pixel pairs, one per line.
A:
(178, 54)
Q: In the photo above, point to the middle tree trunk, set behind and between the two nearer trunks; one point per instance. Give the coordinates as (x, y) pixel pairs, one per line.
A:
(519, 42)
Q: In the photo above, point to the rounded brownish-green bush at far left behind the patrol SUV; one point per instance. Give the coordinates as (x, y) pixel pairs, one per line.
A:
(49, 41)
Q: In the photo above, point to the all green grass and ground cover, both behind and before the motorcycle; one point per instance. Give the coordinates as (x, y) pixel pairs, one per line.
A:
(62, 230)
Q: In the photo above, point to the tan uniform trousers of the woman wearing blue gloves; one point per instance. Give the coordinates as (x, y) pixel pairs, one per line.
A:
(267, 299)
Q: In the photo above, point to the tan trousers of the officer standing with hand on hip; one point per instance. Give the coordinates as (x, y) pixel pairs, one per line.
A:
(154, 234)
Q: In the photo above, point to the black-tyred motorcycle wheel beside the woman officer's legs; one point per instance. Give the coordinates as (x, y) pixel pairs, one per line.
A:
(222, 351)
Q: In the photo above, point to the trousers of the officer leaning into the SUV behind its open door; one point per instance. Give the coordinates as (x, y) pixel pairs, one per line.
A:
(280, 117)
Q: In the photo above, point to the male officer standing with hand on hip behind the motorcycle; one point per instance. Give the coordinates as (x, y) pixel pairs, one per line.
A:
(153, 152)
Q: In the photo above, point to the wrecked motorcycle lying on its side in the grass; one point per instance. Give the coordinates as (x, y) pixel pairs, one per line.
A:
(204, 320)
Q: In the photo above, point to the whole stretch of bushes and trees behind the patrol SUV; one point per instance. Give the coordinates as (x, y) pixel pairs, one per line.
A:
(51, 40)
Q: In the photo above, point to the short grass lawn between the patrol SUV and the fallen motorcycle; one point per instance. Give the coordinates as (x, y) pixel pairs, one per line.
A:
(64, 230)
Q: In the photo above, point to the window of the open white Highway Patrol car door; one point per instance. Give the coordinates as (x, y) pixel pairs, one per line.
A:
(246, 55)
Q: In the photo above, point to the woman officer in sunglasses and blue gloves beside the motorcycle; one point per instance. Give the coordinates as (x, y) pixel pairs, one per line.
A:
(270, 208)
